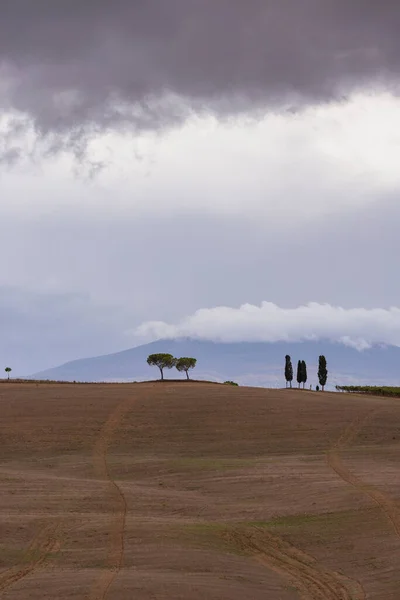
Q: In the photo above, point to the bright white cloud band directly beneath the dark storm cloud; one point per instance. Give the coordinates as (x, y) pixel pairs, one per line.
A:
(287, 168)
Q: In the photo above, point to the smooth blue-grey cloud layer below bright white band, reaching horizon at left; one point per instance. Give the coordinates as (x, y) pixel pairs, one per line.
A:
(126, 270)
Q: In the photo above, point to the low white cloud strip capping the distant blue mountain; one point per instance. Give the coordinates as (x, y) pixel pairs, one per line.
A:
(357, 327)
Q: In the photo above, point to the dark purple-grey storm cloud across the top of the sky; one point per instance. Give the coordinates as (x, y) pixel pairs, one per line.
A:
(97, 63)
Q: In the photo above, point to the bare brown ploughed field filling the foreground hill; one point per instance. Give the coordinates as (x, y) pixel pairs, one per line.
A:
(197, 491)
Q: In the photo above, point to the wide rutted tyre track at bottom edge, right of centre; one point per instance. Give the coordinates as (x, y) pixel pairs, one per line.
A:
(313, 581)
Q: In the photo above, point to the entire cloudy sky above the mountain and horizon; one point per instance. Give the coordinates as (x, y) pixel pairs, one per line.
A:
(220, 169)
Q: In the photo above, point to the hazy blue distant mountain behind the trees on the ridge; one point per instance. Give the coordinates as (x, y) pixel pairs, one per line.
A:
(256, 364)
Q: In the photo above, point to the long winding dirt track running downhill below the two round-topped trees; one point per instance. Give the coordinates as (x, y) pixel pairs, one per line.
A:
(115, 555)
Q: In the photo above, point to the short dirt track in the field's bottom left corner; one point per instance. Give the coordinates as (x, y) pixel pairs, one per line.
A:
(35, 557)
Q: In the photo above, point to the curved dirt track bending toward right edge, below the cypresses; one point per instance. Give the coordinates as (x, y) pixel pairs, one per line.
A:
(385, 502)
